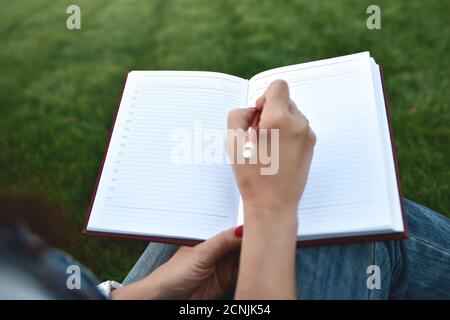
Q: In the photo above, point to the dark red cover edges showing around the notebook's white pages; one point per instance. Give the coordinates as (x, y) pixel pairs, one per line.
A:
(300, 243)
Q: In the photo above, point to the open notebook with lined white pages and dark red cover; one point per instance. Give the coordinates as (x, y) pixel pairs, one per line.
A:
(352, 193)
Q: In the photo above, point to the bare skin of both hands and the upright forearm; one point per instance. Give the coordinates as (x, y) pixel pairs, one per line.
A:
(268, 245)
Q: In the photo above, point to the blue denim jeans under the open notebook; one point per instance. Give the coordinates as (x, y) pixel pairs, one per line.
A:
(416, 268)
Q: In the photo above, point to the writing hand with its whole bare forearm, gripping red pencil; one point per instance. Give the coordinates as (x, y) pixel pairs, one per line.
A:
(267, 263)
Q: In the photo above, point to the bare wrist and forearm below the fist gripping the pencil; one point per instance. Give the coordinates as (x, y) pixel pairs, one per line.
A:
(268, 233)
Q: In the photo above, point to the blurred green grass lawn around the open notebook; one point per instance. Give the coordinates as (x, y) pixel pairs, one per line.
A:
(58, 88)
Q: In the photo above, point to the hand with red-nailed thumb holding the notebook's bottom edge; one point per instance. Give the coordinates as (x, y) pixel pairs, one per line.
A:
(205, 271)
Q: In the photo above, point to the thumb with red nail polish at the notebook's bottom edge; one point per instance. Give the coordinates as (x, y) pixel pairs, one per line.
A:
(221, 244)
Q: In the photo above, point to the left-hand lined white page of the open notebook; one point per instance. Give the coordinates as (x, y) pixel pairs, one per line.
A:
(144, 189)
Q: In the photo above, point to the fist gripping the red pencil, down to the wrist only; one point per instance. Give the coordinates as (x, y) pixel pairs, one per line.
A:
(296, 141)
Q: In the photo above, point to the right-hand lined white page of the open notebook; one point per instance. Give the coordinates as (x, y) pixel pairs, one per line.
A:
(347, 189)
